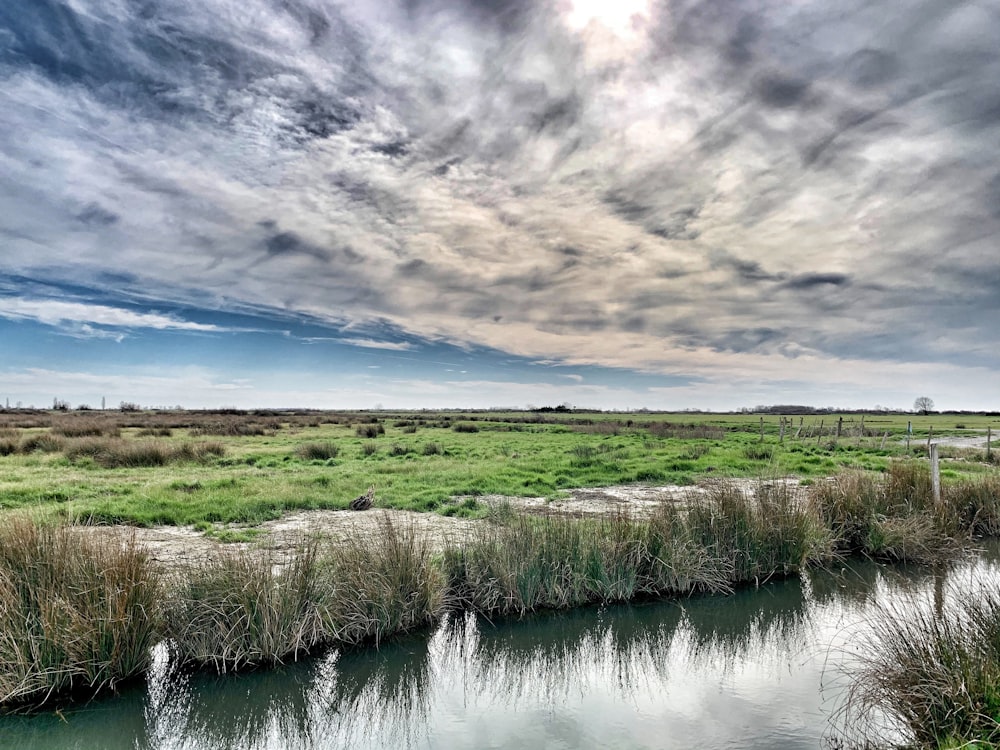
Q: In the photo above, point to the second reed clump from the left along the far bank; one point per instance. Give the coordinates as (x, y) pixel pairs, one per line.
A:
(242, 609)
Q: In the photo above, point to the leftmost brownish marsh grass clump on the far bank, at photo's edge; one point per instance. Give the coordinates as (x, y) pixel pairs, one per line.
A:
(76, 616)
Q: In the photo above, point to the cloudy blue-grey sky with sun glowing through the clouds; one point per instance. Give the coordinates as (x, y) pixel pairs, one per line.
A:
(660, 204)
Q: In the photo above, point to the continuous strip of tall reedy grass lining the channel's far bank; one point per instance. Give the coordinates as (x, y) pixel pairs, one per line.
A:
(241, 610)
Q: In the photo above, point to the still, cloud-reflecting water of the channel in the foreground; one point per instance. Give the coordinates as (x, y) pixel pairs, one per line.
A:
(764, 668)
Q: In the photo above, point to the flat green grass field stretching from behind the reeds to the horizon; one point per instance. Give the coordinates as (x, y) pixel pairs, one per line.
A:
(203, 468)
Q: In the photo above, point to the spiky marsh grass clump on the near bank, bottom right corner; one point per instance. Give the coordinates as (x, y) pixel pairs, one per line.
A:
(933, 674)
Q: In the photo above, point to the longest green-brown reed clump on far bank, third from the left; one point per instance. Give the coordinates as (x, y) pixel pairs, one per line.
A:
(711, 543)
